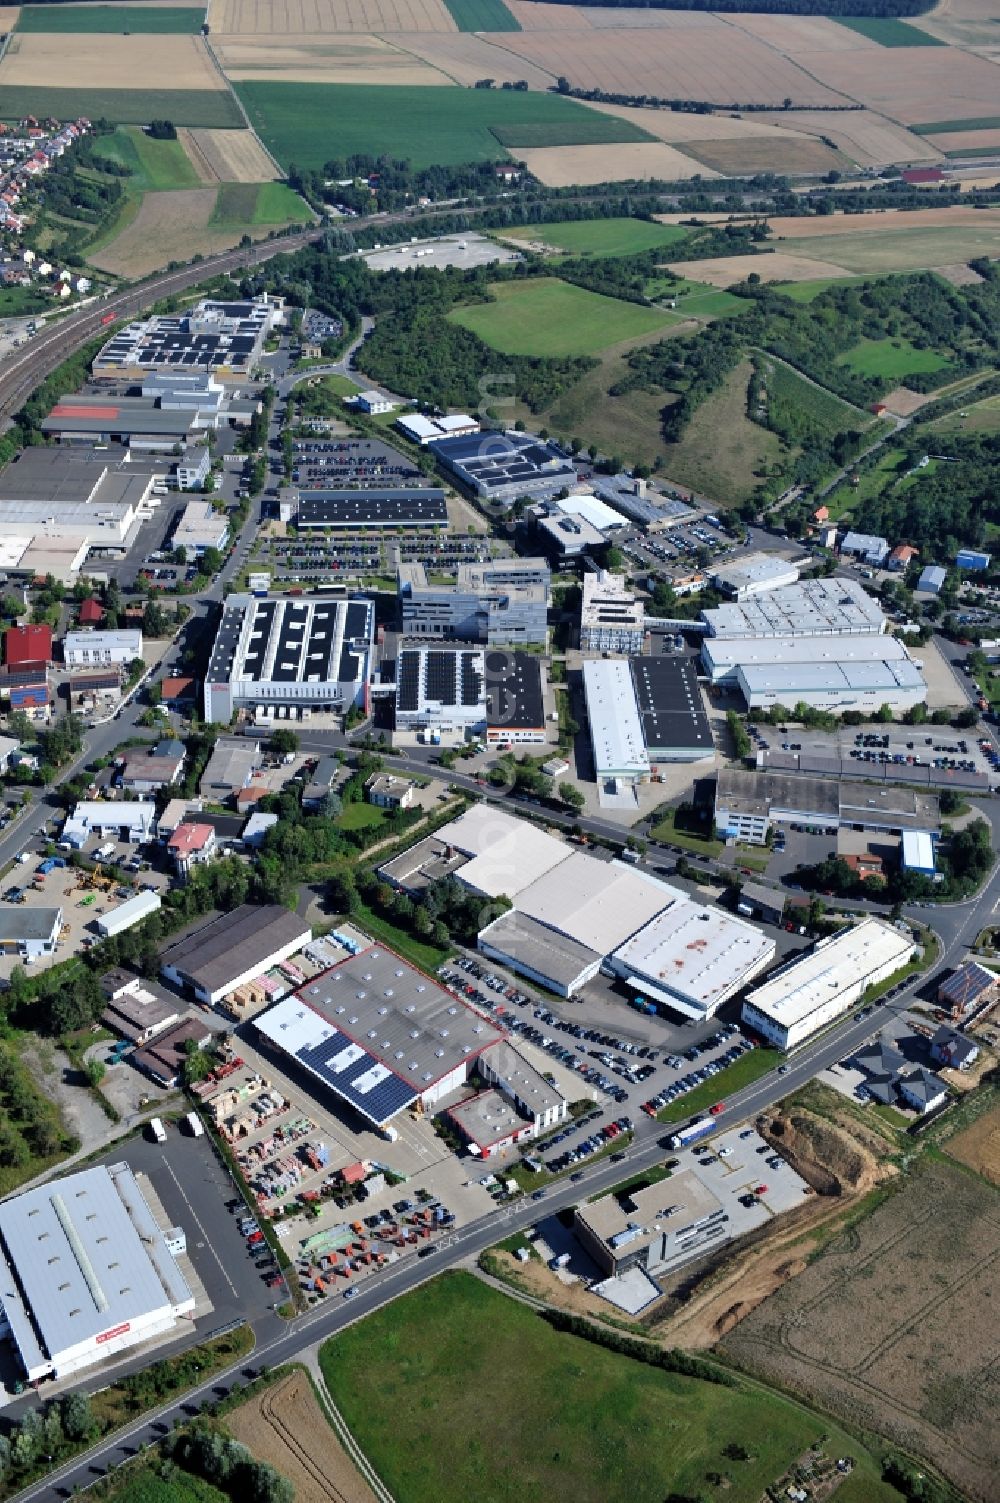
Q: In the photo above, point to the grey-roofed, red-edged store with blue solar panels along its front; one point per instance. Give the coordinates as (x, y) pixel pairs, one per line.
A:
(380, 1035)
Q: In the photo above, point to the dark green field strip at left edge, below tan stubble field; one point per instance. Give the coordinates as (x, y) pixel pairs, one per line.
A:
(214, 109)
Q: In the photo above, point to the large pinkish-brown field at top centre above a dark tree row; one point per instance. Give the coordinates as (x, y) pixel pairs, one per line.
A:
(706, 62)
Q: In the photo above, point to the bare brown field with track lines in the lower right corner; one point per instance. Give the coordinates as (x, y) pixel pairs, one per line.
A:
(889, 1329)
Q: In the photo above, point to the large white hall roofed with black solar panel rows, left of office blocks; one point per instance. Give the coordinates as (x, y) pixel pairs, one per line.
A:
(282, 658)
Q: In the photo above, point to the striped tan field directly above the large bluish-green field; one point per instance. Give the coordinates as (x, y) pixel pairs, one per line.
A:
(323, 59)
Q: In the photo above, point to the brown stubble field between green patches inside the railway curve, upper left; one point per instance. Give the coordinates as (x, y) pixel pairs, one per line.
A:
(171, 228)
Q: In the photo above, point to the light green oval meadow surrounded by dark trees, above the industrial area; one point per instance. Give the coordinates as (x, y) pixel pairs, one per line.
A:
(545, 316)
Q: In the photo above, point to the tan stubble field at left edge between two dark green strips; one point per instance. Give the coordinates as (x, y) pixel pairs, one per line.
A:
(44, 61)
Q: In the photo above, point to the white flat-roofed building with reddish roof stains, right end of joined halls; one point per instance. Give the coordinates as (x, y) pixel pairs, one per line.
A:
(692, 960)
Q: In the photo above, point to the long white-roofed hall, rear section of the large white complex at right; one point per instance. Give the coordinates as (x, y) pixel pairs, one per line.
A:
(814, 608)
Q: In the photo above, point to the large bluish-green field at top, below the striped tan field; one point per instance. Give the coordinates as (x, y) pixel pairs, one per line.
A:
(308, 124)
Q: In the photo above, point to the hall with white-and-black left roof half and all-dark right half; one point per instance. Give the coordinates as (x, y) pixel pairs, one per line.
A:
(461, 694)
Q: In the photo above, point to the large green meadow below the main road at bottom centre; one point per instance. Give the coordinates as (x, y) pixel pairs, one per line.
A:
(459, 1393)
